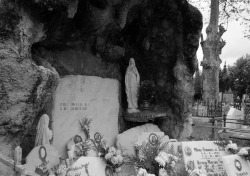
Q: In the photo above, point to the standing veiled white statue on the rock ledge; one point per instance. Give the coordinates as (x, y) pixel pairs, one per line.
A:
(132, 82)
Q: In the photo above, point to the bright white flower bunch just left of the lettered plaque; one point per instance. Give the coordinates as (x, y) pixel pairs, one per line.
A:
(166, 161)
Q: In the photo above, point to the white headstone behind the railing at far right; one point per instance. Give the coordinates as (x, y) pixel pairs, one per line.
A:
(234, 114)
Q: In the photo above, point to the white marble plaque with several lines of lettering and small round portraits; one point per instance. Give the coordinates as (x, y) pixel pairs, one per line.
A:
(205, 155)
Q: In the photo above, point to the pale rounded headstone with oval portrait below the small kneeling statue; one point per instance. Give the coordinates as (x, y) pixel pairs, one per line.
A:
(33, 160)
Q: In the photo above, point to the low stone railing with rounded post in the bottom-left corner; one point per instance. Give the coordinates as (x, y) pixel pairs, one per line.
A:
(15, 164)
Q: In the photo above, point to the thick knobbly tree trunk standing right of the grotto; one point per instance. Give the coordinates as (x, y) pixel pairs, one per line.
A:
(211, 49)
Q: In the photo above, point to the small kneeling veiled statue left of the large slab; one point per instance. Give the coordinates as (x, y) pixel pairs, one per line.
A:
(43, 133)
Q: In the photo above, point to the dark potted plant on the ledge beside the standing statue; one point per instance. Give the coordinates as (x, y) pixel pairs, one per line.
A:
(147, 93)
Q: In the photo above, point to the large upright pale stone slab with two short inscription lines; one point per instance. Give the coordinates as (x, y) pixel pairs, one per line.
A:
(92, 97)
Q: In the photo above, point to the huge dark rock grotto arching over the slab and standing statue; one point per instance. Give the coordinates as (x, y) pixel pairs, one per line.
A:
(97, 38)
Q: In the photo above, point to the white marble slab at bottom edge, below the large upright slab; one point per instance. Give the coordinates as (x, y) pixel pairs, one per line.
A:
(87, 166)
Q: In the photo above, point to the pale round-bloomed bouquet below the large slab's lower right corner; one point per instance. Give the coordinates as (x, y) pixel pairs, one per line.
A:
(114, 158)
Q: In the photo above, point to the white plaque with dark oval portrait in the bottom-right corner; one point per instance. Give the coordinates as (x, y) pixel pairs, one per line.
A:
(236, 165)
